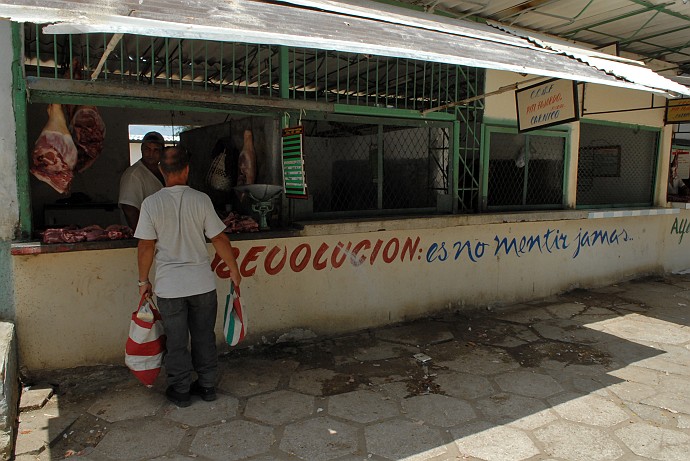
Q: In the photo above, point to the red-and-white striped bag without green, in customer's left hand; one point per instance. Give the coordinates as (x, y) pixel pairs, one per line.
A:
(146, 342)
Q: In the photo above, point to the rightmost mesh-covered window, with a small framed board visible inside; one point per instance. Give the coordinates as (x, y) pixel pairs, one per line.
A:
(616, 165)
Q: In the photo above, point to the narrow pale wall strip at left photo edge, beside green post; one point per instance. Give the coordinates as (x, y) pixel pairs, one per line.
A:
(9, 212)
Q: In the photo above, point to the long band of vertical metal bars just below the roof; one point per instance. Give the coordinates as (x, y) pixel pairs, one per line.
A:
(250, 69)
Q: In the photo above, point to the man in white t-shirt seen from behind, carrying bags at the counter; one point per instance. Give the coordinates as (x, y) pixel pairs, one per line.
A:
(173, 226)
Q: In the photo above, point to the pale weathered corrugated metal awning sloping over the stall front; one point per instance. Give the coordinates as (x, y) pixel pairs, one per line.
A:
(362, 27)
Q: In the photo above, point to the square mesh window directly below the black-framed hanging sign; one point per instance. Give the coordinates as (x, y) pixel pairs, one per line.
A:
(525, 170)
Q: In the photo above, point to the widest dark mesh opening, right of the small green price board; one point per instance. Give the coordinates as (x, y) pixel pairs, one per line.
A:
(353, 168)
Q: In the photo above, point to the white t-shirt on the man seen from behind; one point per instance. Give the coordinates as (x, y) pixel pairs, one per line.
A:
(179, 218)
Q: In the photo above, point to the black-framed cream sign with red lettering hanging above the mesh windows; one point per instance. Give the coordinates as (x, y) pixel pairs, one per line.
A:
(545, 104)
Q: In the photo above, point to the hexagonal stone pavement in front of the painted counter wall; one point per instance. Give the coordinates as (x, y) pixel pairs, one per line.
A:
(588, 375)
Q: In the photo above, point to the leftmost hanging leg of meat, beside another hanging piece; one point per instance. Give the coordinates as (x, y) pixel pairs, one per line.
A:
(55, 155)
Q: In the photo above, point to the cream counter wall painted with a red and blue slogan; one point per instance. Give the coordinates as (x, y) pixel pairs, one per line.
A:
(88, 322)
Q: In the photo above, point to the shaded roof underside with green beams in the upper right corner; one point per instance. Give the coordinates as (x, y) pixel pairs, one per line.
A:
(655, 29)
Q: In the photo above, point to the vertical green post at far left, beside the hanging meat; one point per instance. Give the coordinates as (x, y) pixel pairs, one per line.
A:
(22, 144)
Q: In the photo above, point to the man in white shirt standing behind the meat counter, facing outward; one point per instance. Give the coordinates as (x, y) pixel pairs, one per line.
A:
(141, 179)
